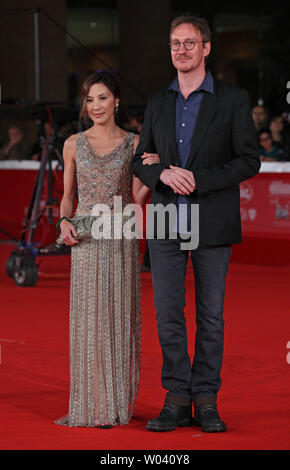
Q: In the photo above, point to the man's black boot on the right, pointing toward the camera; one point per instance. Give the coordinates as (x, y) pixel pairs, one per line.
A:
(206, 416)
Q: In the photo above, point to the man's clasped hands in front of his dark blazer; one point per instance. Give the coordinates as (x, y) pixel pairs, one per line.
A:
(180, 180)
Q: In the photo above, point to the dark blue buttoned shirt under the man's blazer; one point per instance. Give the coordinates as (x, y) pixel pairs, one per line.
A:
(186, 115)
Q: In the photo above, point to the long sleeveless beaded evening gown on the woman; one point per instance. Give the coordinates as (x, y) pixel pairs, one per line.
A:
(105, 314)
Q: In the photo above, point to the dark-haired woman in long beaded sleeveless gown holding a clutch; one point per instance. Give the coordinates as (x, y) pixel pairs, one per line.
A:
(105, 314)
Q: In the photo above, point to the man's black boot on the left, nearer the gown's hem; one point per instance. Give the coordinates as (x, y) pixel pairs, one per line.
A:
(171, 416)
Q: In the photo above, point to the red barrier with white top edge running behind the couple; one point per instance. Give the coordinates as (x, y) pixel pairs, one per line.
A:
(265, 204)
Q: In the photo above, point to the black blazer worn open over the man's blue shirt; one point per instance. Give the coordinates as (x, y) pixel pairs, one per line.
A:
(224, 152)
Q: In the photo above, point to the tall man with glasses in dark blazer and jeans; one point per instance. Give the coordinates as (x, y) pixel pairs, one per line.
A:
(203, 131)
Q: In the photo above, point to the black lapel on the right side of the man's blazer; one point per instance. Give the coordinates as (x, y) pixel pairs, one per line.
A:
(206, 115)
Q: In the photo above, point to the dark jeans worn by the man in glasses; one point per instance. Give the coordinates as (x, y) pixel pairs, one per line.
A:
(210, 266)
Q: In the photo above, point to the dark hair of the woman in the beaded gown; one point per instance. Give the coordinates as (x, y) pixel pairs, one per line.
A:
(104, 77)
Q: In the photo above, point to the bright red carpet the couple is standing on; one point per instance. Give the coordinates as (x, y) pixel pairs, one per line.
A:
(254, 398)
